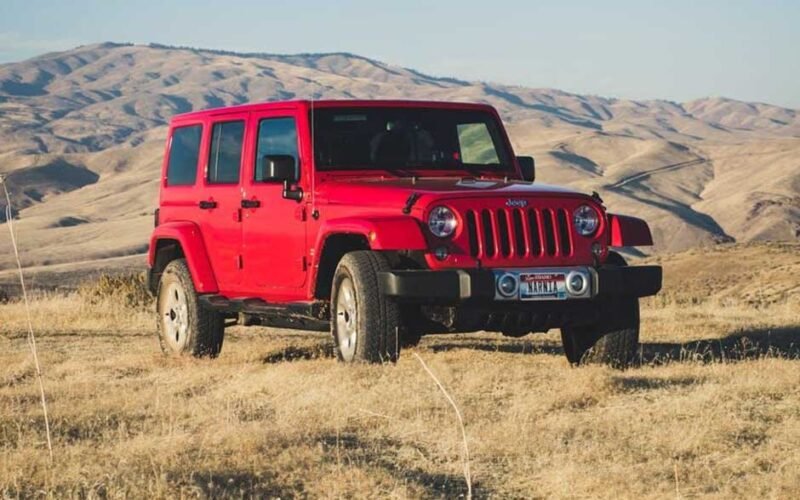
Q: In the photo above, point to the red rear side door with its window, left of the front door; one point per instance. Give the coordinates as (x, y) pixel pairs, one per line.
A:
(219, 205)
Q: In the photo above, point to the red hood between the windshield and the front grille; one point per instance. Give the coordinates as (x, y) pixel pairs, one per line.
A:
(393, 191)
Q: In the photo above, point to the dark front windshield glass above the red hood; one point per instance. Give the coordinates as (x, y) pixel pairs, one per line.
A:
(408, 138)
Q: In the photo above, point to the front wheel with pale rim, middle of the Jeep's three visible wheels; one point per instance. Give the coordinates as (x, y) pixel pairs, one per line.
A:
(364, 323)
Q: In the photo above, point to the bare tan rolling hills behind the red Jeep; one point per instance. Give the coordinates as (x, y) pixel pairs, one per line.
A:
(82, 132)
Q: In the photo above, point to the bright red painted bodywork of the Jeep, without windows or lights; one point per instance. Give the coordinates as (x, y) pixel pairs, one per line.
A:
(273, 251)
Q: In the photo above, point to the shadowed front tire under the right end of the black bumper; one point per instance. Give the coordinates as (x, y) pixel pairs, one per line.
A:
(614, 339)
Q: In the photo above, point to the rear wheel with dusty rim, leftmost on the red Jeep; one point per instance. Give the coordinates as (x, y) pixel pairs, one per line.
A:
(184, 327)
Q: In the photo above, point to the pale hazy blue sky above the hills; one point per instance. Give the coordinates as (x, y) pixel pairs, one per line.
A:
(676, 50)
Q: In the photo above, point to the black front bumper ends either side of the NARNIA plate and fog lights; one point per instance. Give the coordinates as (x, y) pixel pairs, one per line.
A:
(479, 284)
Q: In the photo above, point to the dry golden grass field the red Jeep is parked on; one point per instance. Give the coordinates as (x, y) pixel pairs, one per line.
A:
(712, 410)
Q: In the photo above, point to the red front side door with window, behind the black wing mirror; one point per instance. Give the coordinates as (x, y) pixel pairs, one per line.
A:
(274, 228)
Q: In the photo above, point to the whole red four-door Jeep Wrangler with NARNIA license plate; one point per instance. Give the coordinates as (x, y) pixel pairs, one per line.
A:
(382, 221)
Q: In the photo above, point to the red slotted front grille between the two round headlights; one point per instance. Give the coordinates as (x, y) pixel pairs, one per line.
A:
(504, 233)
